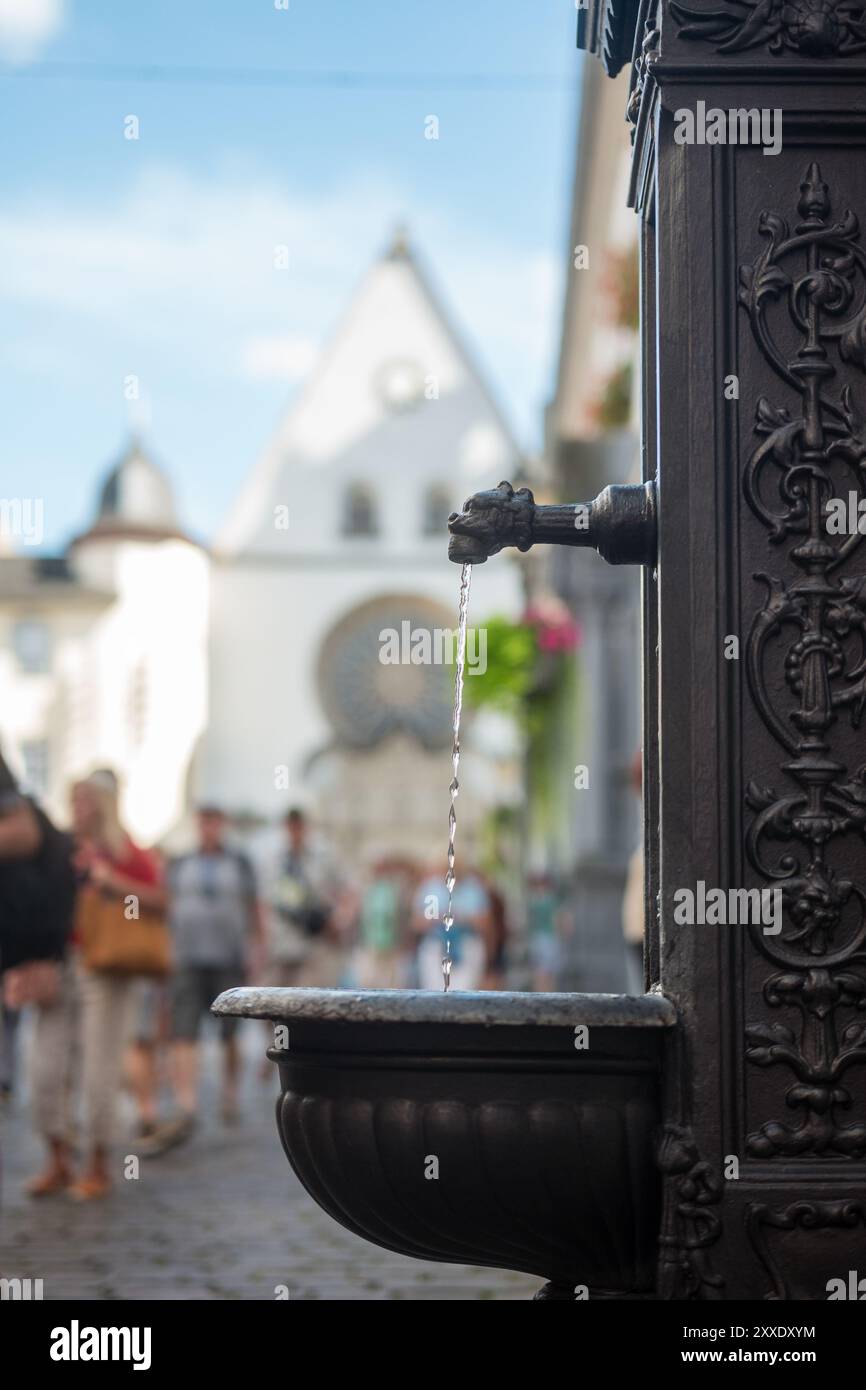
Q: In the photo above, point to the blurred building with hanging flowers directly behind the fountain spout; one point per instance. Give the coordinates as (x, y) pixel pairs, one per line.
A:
(585, 826)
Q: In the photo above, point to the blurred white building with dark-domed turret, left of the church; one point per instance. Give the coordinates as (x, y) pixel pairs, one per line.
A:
(104, 653)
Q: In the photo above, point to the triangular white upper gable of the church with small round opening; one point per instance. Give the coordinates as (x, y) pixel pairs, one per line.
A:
(394, 415)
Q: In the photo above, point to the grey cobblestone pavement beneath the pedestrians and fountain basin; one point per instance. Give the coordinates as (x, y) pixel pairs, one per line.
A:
(223, 1217)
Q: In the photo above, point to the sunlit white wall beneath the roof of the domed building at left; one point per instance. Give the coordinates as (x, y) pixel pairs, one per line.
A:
(154, 635)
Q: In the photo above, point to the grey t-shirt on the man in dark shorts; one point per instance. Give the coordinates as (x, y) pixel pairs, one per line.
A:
(211, 900)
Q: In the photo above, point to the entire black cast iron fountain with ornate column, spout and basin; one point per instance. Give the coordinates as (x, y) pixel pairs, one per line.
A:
(711, 1140)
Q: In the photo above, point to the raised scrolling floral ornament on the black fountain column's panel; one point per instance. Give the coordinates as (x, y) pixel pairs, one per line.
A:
(818, 272)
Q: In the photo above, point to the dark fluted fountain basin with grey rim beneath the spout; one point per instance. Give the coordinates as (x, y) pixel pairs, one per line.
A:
(544, 1152)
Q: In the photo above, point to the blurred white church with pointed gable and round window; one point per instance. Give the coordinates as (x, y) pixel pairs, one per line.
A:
(338, 537)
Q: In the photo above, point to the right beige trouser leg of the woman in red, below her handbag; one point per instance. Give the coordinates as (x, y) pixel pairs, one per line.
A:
(108, 1017)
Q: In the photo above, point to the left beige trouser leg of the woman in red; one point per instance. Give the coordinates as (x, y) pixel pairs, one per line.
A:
(56, 1057)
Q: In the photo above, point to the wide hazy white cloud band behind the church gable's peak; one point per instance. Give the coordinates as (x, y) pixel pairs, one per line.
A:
(187, 265)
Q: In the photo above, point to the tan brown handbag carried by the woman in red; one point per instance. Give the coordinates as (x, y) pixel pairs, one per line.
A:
(115, 945)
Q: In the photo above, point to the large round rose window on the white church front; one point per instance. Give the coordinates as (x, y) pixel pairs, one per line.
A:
(369, 683)
